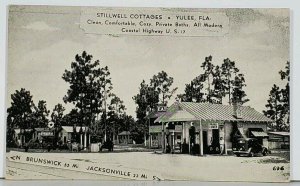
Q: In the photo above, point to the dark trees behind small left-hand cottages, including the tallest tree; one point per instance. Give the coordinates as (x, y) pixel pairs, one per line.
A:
(90, 93)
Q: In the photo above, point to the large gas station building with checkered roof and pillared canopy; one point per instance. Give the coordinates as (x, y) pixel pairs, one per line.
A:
(206, 128)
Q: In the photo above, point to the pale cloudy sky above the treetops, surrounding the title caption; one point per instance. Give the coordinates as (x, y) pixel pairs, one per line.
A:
(43, 42)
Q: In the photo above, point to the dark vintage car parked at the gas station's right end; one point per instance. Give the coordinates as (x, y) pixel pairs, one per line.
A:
(249, 147)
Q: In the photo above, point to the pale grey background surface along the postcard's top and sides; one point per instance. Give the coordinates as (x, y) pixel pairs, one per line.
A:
(295, 46)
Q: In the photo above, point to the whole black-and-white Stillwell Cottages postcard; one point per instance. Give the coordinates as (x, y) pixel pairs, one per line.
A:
(148, 94)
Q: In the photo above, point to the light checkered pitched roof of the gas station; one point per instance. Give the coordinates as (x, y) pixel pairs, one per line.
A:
(209, 111)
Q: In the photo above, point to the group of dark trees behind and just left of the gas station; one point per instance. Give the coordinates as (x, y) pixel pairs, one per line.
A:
(213, 85)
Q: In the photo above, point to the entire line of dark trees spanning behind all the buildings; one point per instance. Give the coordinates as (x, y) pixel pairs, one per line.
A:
(96, 106)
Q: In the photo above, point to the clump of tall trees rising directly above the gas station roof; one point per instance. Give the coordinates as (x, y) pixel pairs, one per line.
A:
(215, 83)
